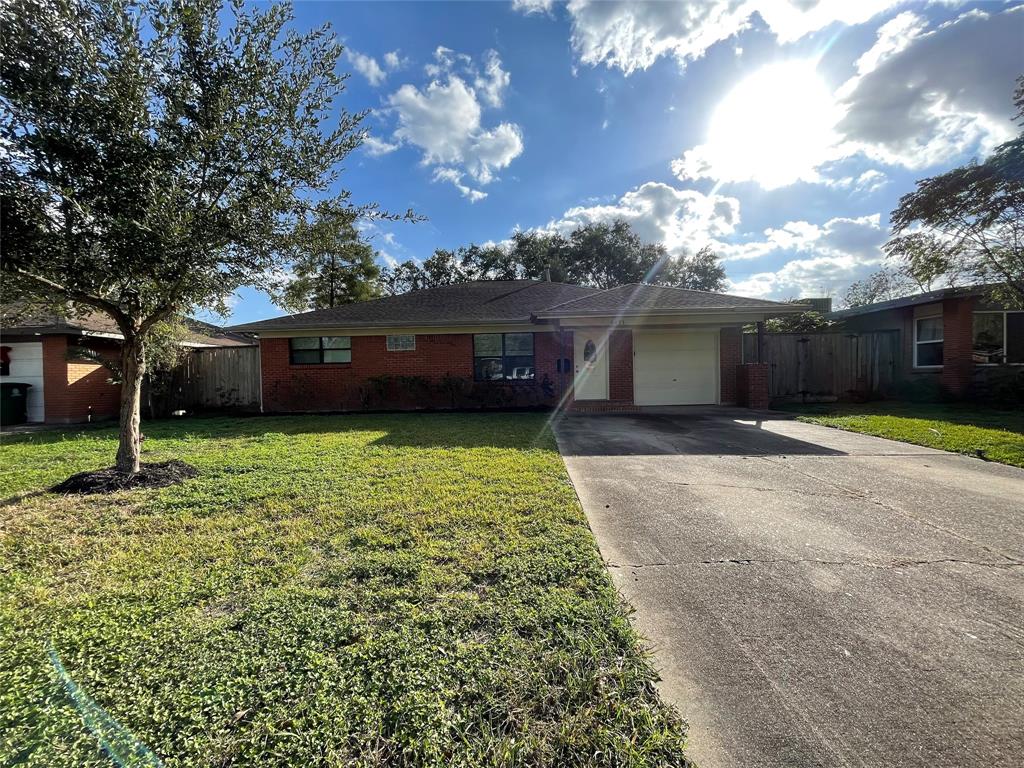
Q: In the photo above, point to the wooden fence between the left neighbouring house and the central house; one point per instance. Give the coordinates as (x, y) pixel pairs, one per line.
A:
(216, 378)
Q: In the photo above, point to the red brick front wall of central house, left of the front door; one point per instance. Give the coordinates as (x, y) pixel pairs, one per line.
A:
(438, 357)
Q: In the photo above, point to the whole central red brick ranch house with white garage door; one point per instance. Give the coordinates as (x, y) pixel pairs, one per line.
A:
(500, 344)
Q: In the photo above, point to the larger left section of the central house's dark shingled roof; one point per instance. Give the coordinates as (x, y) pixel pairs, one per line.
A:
(463, 304)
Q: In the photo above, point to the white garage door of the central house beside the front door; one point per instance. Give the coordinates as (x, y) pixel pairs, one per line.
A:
(675, 368)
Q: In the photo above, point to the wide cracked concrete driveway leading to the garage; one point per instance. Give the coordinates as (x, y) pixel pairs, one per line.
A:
(815, 598)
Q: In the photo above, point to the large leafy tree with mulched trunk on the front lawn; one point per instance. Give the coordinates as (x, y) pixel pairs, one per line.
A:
(159, 155)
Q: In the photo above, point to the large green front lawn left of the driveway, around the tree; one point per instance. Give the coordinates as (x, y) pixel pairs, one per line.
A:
(365, 591)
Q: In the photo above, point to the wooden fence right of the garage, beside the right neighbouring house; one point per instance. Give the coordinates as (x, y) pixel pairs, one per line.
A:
(827, 366)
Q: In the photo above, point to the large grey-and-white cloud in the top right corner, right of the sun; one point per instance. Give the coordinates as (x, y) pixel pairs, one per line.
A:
(923, 98)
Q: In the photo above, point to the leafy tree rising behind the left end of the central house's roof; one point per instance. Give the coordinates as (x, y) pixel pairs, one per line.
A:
(332, 266)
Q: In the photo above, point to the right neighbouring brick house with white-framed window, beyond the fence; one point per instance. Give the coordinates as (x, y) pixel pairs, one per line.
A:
(956, 340)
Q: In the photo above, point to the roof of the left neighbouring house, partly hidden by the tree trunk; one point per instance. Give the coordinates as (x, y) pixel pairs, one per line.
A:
(14, 322)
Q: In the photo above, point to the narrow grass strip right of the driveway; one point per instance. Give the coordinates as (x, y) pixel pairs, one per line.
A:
(988, 434)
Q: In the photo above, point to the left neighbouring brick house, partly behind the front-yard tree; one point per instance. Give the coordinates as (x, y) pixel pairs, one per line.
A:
(65, 391)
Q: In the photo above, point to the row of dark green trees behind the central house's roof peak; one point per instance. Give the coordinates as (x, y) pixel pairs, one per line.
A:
(603, 255)
